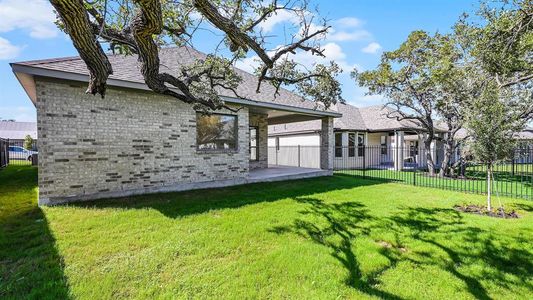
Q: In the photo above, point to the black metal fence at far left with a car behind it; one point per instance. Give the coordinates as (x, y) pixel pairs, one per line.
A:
(18, 152)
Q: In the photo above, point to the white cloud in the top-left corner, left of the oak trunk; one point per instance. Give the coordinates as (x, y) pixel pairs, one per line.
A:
(36, 16)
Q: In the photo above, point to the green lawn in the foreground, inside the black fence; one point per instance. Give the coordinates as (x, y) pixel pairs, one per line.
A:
(336, 237)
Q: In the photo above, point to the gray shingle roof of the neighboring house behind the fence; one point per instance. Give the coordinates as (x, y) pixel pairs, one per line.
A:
(372, 118)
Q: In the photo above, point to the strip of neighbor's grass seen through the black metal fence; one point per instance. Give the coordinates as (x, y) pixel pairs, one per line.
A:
(519, 184)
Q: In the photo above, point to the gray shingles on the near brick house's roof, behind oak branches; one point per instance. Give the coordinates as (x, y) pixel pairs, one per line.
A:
(126, 68)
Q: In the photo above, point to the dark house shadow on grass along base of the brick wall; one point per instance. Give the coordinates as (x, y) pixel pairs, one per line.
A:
(180, 204)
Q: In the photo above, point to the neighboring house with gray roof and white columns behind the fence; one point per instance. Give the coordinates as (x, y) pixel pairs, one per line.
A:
(371, 127)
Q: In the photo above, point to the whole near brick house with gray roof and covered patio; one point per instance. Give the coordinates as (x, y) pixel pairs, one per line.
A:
(135, 141)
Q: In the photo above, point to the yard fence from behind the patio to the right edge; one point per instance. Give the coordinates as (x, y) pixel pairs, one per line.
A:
(411, 165)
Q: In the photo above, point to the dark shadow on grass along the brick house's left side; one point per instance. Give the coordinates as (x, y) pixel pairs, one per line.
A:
(30, 265)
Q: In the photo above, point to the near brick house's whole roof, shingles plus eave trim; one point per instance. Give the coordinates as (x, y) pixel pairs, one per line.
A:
(126, 73)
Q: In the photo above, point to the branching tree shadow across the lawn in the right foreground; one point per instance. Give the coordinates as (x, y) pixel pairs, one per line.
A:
(441, 230)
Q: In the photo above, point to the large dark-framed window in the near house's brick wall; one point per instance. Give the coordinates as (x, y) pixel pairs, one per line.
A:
(216, 132)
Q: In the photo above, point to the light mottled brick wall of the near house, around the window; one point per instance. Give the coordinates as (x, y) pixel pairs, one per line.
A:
(130, 142)
